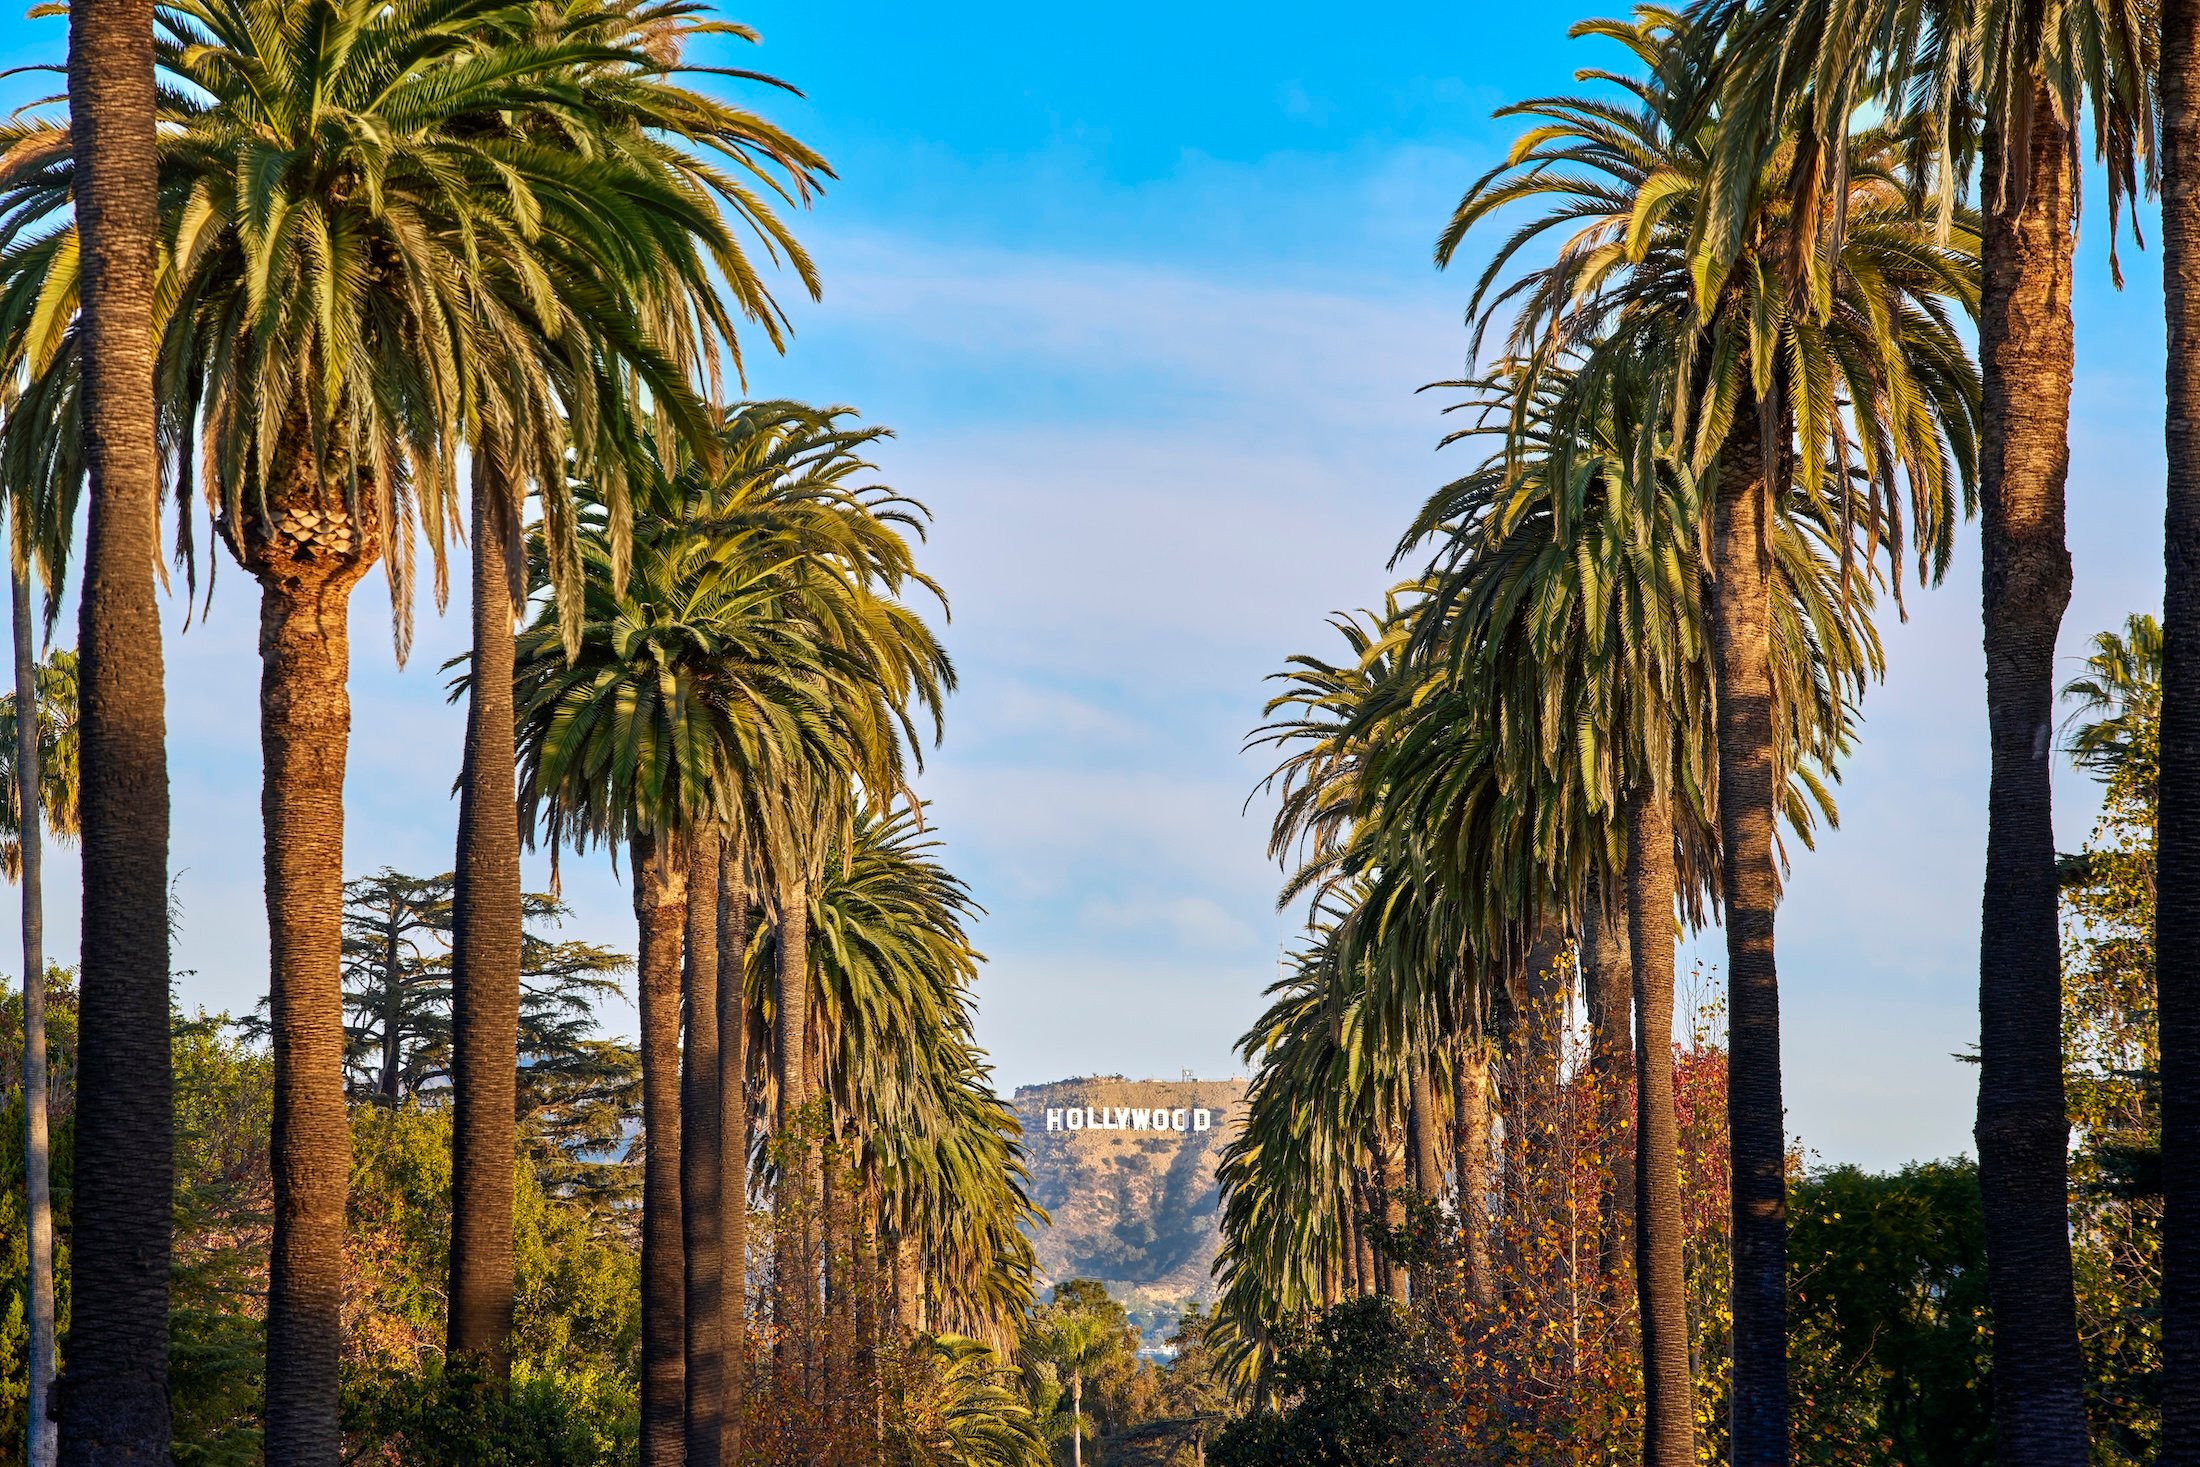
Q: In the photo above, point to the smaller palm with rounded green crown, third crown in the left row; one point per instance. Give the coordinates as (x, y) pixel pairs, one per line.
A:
(690, 692)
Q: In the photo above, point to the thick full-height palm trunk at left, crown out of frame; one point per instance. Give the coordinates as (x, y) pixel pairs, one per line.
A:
(115, 1396)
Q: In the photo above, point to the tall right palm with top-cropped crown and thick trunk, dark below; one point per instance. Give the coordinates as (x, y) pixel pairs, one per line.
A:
(1999, 85)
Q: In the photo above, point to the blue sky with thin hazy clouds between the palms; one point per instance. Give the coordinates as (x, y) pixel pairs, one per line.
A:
(1147, 296)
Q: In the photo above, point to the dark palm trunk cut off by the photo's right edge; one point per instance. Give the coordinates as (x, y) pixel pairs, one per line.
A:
(2177, 861)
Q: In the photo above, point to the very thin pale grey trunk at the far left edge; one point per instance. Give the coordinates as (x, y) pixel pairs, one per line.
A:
(36, 1147)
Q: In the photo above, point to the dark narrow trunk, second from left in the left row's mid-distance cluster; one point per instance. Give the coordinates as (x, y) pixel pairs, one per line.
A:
(703, 1180)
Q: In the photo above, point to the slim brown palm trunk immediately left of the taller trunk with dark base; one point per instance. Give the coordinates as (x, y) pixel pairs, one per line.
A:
(1660, 1283)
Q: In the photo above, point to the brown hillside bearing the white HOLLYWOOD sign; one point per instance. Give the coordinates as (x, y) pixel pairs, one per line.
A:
(1134, 1202)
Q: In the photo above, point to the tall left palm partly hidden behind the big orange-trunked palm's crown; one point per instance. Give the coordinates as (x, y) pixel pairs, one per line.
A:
(672, 252)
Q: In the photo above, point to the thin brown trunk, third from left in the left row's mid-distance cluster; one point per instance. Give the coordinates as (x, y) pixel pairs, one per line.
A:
(734, 1138)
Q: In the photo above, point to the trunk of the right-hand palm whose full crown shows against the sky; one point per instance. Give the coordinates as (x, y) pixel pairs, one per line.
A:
(1741, 641)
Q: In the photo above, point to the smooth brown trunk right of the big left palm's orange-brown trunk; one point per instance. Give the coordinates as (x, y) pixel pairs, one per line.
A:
(485, 947)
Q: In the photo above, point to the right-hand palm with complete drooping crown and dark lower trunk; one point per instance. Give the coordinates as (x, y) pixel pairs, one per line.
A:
(1768, 393)
